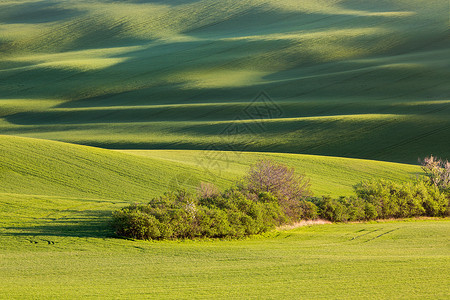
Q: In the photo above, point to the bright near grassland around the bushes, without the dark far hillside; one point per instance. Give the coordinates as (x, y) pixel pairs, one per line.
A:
(56, 200)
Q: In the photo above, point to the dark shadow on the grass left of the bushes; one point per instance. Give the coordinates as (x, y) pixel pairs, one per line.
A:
(95, 224)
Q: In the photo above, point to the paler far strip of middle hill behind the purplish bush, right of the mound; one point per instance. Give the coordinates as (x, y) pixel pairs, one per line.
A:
(329, 175)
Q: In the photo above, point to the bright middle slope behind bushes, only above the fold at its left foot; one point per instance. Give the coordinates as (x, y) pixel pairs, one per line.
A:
(39, 167)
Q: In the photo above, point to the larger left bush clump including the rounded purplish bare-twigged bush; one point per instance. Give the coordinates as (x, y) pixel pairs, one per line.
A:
(270, 195)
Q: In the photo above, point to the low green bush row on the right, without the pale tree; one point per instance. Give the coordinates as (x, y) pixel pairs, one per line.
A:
(384, 200)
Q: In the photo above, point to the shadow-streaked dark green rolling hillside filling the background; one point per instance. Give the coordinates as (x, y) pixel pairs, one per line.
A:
(368, 77)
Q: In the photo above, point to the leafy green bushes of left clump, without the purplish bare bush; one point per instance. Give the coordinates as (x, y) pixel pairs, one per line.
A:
(181, 215)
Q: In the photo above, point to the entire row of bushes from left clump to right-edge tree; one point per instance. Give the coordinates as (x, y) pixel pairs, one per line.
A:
(273, 194)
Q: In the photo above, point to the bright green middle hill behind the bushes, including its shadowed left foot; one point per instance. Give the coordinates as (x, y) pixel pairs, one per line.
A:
(52, 188)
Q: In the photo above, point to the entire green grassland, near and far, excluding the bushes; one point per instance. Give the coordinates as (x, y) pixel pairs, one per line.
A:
(105, 103)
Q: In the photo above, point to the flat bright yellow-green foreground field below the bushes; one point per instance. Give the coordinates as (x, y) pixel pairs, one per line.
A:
(376, 260)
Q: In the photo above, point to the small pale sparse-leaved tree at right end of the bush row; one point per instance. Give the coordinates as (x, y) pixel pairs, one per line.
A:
(438, 171)
